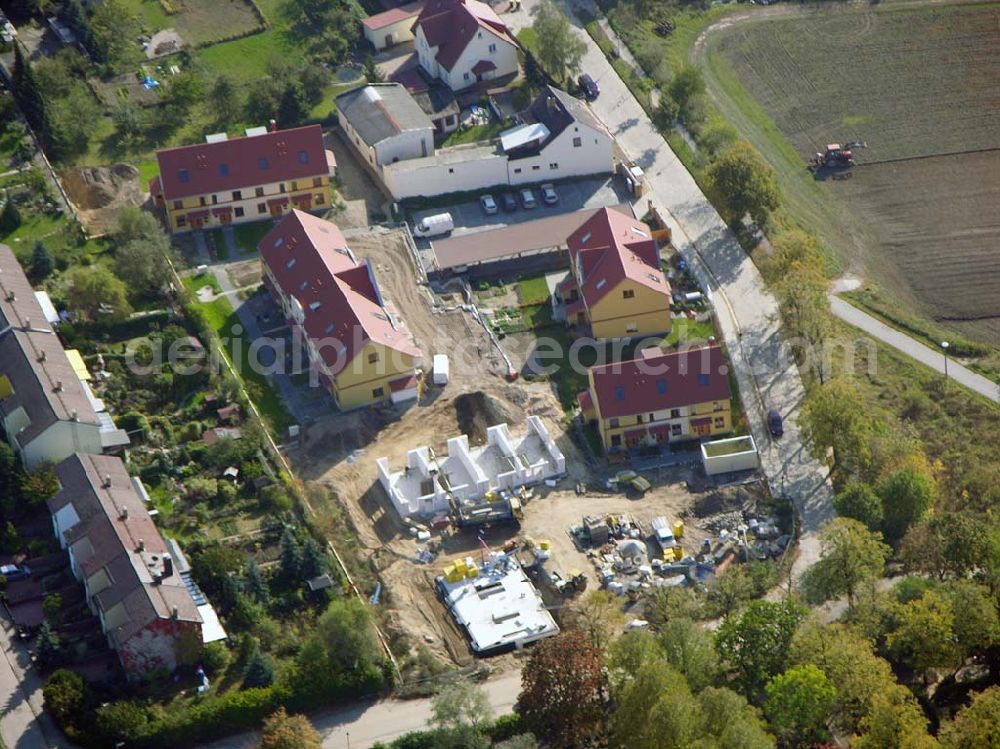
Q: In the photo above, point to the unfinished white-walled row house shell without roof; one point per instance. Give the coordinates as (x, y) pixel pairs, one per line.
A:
(429, 483)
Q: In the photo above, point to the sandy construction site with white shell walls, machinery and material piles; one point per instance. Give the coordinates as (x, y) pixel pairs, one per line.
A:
(483, 514)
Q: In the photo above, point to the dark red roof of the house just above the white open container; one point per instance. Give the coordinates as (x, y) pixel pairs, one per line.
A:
(657, 381)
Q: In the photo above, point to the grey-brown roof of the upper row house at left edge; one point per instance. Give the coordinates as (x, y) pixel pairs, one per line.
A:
(44, 382)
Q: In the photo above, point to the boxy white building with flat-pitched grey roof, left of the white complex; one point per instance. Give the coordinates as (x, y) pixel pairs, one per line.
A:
(385, 124)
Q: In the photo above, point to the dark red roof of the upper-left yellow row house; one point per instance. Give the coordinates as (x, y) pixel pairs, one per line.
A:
(239, 163)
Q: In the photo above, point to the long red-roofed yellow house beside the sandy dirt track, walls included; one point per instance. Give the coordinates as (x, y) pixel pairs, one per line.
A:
(357, 343)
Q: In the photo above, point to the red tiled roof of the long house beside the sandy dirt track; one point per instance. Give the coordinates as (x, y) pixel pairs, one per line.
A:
(341, 302)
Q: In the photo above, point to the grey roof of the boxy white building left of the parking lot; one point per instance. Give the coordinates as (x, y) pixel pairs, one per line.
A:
(382, 110)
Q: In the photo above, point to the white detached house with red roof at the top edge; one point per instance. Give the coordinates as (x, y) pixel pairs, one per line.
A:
(463, 42)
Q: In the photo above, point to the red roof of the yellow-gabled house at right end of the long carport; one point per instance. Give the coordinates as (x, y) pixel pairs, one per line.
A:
(611, 247)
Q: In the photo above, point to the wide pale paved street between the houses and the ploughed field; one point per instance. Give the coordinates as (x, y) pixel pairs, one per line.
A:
(747, 313)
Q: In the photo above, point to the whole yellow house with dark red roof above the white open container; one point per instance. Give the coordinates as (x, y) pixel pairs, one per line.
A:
(659, 397)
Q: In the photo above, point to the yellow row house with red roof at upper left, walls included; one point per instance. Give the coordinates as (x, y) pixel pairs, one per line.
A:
(263, 175)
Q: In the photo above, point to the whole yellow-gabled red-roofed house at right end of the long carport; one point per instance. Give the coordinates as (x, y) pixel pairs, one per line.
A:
(615, 286)
